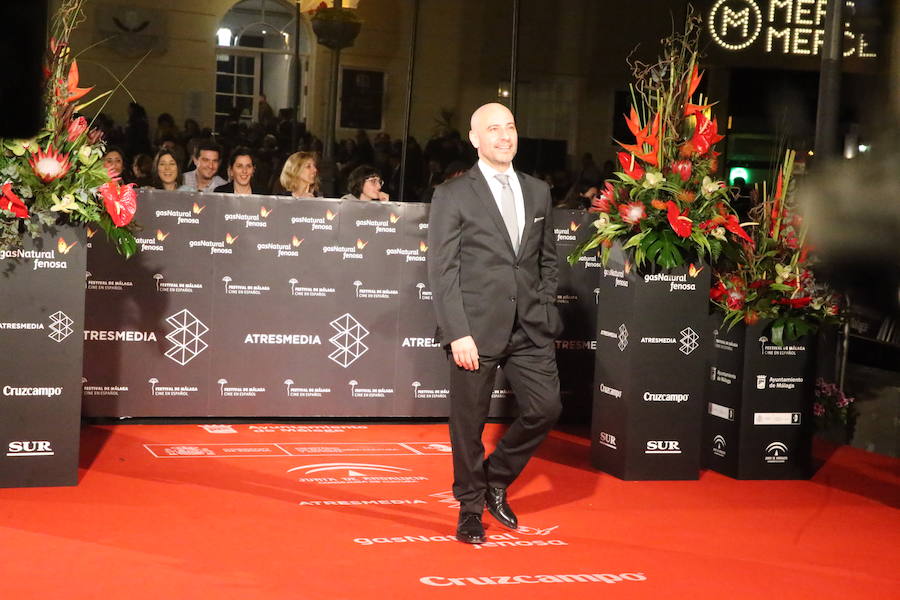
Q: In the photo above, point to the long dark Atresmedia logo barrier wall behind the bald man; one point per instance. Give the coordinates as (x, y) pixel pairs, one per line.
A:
(271, 306)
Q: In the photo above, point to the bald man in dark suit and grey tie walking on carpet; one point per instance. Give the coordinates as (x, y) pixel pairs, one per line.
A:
(492, 269)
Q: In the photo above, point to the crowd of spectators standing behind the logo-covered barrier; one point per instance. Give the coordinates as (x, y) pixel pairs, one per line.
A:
(277, 155)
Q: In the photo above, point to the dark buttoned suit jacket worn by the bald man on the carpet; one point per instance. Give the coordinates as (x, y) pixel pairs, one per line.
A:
(478, 284)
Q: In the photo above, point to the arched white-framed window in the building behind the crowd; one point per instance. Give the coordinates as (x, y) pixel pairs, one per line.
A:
(254, 58)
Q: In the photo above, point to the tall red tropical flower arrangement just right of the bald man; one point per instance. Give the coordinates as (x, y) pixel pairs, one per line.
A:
(667, 203)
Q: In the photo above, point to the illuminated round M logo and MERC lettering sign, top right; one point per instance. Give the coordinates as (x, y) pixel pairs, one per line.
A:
(782, 27)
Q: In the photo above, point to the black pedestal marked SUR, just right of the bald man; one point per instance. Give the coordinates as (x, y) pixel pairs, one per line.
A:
(650, 366)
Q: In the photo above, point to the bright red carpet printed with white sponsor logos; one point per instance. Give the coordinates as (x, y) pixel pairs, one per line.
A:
(364, 511)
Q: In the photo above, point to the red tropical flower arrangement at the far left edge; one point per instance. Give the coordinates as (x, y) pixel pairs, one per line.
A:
(58, 175)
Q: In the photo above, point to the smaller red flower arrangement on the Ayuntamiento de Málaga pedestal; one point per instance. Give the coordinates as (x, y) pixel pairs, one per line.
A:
(772, 277)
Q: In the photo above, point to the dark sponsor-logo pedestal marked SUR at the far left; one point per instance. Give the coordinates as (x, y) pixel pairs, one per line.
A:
(41, 319)
